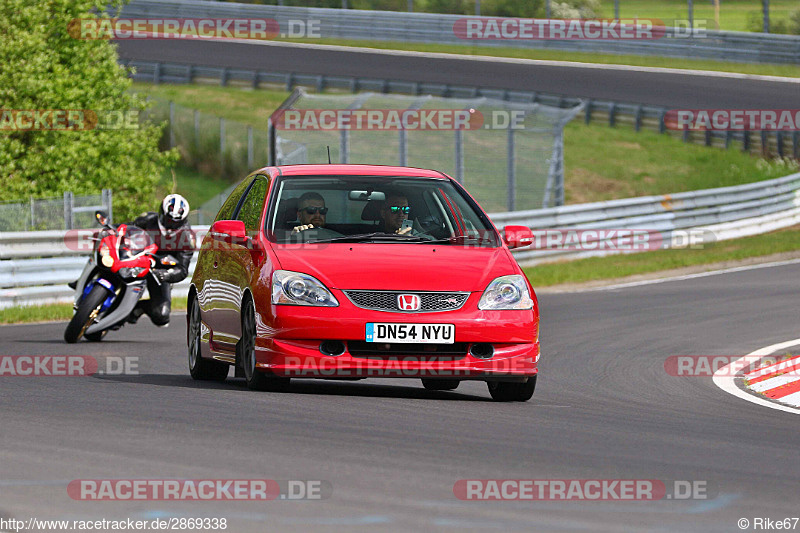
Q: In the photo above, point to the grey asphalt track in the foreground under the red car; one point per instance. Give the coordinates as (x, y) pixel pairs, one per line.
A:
(604, 409)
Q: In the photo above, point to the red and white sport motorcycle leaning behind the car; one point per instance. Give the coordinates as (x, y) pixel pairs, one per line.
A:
(112, 282)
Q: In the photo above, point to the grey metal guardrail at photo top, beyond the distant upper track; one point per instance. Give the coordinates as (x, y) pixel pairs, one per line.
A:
(438, 28)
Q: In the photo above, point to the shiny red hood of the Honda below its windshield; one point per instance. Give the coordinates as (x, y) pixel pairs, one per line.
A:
(398, 266)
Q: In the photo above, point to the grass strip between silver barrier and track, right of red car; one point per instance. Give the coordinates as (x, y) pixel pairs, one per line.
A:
(619, 266)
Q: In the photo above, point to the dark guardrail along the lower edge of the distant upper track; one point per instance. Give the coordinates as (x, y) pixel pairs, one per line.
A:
(766, 143)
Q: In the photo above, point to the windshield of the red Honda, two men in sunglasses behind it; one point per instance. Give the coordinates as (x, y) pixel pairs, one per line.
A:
(373, 209)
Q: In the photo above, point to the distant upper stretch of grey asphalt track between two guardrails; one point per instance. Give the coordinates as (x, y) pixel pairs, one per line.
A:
(669, 89)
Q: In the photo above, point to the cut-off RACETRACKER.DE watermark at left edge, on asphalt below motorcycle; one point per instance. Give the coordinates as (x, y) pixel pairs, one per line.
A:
(66, 366)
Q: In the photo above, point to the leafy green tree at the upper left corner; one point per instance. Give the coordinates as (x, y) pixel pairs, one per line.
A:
(46, 68)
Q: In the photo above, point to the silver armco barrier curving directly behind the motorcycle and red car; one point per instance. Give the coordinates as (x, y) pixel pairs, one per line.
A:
(35, 266)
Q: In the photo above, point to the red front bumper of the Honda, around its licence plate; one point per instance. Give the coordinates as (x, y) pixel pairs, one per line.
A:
(291, 348)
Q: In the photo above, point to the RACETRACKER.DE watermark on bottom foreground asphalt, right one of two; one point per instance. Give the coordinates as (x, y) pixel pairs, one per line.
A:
(580, 489)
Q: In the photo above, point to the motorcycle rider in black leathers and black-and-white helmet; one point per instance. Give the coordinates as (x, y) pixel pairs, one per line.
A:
(170, 230)
